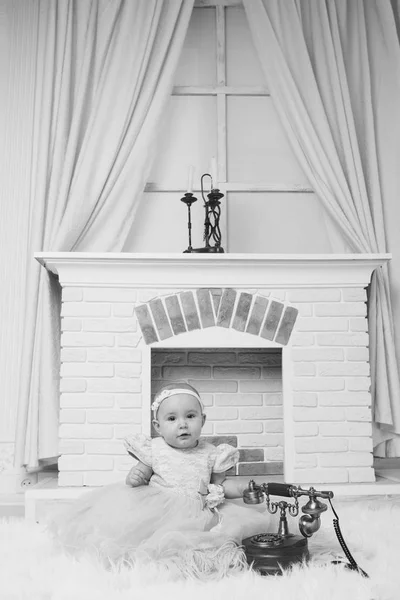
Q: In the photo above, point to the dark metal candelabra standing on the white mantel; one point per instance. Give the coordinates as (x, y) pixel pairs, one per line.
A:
(212, 207)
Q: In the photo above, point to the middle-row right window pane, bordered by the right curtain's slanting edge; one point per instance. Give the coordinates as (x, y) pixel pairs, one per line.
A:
(258, 150)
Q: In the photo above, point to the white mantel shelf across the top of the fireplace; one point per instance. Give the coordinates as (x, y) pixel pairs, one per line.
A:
(226, 270)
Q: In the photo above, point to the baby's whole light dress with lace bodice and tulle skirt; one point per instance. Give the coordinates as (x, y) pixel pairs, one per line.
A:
(166, 520)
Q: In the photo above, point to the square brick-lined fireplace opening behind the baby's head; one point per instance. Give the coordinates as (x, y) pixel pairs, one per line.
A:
(242, 392)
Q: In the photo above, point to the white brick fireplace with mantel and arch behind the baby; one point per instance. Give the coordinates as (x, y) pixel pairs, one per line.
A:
(305, 403)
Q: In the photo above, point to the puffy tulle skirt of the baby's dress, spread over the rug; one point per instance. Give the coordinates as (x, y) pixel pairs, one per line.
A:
(121, 524)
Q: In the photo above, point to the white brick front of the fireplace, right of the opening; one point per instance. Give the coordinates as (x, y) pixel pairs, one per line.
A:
(341, 436)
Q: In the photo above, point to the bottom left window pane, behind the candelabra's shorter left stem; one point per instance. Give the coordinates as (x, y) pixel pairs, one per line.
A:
(161, 224)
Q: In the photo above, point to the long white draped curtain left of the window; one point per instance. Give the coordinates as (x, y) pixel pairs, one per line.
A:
(104, 74)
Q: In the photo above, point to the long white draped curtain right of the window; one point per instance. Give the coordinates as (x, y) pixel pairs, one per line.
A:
(333, 69)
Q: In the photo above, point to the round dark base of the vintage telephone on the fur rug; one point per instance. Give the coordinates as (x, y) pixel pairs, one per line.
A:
(270, 554)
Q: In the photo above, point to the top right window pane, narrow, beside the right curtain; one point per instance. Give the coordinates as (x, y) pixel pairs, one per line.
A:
(242, 64)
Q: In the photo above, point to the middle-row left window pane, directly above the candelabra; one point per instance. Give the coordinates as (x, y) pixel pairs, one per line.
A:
(188, 137)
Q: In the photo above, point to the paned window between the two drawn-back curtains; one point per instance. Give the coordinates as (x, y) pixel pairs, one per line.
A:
(221, 107)
